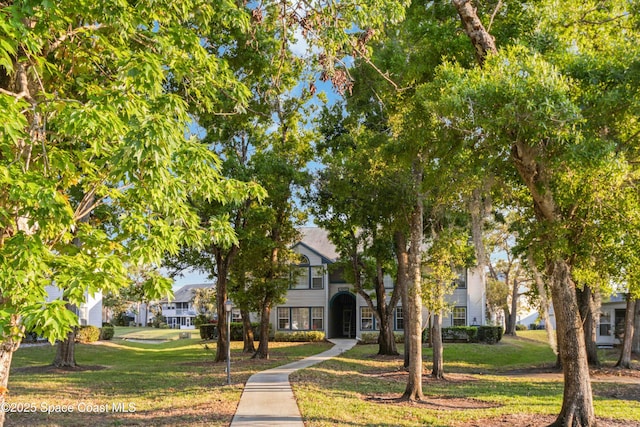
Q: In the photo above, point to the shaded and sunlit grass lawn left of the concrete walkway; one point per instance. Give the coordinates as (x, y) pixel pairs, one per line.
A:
(172, 383)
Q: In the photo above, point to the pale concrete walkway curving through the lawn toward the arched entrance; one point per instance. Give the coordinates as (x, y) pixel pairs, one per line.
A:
(267, 399)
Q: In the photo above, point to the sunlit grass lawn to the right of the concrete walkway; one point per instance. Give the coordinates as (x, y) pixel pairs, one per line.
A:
(362, 389)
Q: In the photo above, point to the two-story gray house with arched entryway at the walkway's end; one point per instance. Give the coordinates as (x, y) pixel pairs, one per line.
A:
(319, 299)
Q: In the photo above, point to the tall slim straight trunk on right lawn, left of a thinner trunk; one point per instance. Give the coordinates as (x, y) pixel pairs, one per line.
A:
(413, 390)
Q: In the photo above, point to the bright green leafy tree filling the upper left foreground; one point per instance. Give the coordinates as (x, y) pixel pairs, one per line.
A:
(92, 120)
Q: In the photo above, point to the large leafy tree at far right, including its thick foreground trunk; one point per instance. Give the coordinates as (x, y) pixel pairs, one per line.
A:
(534, 109)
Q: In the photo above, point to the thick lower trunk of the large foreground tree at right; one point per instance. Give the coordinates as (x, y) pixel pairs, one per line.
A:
(577, 404)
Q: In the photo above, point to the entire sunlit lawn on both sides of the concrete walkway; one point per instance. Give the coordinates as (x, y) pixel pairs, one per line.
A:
(177, 383)
